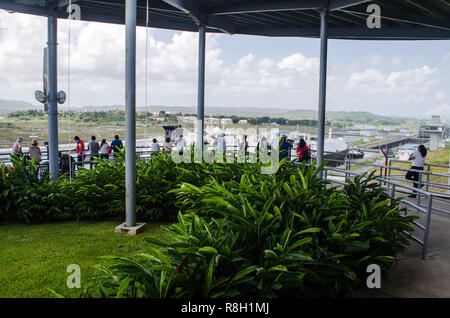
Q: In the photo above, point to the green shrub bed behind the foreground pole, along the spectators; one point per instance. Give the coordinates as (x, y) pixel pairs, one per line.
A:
(100, 193)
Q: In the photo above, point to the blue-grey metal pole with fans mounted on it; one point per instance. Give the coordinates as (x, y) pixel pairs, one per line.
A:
(52, 94)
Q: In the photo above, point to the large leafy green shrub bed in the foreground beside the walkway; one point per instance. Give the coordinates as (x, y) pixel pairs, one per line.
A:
(283, 235)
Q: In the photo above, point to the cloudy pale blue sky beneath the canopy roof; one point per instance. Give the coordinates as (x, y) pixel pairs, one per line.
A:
(391, 78)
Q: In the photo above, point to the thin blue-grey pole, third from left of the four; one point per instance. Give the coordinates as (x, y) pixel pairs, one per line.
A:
(201, 86)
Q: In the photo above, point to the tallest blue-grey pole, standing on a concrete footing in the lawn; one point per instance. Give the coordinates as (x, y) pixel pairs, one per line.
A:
(130, 112)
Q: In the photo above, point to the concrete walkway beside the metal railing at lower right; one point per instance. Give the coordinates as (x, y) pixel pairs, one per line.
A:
(410, 276)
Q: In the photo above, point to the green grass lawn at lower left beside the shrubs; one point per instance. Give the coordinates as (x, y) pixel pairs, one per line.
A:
(35, 257)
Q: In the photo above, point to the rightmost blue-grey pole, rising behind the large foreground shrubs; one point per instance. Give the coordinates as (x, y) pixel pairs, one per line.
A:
(322, 85)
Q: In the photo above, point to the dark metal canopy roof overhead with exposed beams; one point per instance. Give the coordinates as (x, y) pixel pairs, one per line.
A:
(400, 19)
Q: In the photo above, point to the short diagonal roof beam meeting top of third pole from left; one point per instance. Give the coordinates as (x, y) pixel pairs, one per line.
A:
(201, 18)
